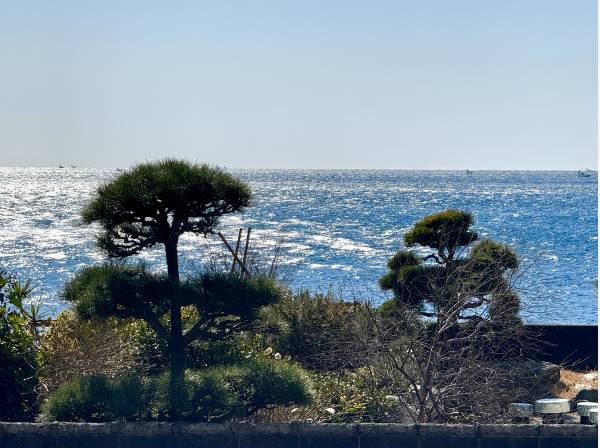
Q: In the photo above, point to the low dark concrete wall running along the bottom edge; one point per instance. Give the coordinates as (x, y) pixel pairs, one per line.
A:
(295, 435)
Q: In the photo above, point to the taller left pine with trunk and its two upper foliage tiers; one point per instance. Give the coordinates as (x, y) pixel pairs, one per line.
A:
(154, 204)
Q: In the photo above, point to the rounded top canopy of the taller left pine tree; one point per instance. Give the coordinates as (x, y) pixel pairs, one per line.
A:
(134, 208)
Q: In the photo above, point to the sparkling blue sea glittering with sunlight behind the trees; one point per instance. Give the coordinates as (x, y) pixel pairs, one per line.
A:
(332, 229)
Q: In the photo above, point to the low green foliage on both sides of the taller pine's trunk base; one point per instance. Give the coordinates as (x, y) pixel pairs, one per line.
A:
(212, 394)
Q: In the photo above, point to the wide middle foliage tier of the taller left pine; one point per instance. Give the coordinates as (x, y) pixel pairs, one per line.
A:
(225, 303)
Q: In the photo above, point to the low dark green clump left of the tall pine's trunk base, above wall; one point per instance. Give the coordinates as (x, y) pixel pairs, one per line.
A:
(96, 399)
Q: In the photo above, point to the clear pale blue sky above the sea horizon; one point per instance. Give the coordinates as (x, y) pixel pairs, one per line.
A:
(300, 84)
